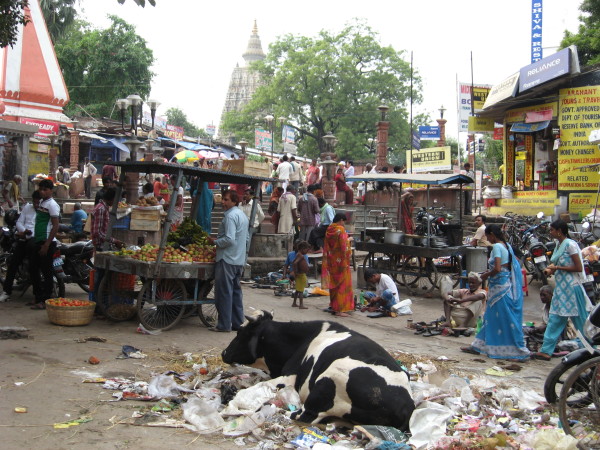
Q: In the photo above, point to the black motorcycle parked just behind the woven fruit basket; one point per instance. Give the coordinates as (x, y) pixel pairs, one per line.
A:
(73, 263)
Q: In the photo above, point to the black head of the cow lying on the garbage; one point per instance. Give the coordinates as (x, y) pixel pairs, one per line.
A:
(244, 347)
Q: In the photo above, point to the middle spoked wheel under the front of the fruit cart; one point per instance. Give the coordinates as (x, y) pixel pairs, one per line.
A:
(157, 304)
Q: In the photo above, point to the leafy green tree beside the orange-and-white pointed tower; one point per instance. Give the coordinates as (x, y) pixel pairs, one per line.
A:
(101, 66)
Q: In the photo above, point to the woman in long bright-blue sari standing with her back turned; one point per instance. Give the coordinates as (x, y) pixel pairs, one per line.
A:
(501, 336)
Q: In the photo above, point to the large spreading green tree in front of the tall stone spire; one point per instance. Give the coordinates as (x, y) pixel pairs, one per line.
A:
(331, 83)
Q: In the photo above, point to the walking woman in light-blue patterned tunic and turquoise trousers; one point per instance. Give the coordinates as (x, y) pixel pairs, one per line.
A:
(569, 300)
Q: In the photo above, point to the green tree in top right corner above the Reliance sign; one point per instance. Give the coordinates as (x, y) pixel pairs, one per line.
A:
(587, 39)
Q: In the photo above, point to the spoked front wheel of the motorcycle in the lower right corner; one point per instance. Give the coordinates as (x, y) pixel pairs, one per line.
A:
(579, 403)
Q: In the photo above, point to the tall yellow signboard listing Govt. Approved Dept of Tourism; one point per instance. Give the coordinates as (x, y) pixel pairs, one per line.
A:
(579, 114)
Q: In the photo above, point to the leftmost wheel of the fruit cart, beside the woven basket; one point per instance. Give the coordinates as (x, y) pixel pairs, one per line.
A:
(116, 297)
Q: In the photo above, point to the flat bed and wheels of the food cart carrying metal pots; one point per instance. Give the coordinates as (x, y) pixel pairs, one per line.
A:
(416, 268)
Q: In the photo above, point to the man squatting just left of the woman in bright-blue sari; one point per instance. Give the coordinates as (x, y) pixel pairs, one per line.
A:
(465, 306)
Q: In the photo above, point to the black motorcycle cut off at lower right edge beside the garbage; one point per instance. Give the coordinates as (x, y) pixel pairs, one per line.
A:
(578, 401)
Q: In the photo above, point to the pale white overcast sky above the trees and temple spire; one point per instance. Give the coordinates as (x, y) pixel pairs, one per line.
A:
(197, 43)
